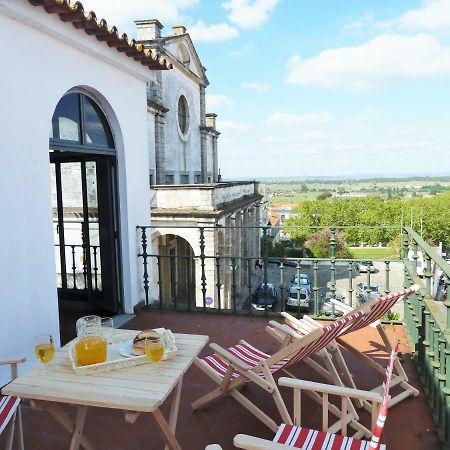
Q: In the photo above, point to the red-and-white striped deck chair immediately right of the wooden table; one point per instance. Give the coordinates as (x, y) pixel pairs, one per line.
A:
(242, 363)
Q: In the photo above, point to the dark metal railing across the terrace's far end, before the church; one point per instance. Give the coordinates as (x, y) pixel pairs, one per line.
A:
(215, 278)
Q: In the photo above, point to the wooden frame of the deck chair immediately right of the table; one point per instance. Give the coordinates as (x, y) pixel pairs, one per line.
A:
(228, 386)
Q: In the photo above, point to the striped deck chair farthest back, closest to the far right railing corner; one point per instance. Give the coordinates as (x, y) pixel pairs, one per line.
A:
(332, 356)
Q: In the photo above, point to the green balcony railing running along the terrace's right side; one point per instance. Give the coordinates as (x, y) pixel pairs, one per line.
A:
(427, 322)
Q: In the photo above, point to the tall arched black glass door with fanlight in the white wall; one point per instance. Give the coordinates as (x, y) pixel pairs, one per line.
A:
(85, 205)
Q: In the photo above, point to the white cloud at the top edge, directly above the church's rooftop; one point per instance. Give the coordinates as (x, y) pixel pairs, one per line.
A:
(122, 13)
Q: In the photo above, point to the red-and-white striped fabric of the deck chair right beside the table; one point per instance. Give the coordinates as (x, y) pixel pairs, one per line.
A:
(252, 356)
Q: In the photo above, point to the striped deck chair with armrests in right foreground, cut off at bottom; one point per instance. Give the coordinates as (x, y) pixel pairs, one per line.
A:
(296, 436)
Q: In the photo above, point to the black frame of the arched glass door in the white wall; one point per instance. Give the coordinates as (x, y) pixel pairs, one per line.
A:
(62, 151)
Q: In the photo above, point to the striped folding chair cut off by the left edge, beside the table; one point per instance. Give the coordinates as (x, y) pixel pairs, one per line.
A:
(9, 409)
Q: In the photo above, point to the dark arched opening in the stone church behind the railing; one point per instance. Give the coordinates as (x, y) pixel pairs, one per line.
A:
(176, 271)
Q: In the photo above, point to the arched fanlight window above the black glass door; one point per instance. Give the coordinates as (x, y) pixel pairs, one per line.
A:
(79, 123)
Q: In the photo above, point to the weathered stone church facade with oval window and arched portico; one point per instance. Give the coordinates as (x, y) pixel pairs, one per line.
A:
(187, 191)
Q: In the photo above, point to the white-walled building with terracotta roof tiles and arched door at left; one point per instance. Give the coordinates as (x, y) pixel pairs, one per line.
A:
(57, 56)
